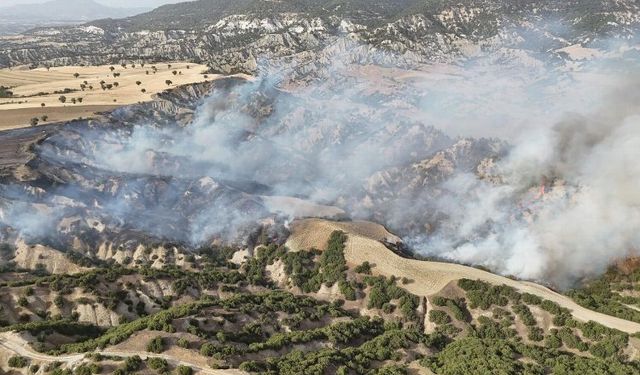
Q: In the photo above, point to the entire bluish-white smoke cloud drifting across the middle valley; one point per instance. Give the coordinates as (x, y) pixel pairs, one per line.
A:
(558, 204)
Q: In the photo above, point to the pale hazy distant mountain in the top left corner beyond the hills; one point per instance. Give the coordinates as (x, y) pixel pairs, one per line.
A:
(65, 10)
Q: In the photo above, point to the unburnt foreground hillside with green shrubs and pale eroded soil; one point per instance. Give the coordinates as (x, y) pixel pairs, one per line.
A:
(284, 312)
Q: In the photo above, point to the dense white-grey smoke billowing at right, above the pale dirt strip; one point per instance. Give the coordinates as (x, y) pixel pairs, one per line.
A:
(567, 205)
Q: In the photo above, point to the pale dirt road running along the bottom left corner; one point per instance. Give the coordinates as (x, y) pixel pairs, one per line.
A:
(12, 342)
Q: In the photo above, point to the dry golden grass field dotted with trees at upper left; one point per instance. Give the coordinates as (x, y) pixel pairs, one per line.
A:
(35, 87)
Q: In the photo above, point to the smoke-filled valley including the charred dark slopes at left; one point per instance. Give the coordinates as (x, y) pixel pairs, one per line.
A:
(525, 169)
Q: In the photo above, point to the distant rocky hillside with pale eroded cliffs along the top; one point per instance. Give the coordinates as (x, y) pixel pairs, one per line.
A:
(233, 36)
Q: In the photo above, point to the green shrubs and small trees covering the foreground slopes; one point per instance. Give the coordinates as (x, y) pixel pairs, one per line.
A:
(236, 316)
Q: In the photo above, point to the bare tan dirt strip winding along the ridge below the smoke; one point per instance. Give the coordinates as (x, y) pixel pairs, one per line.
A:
(428, 277)
